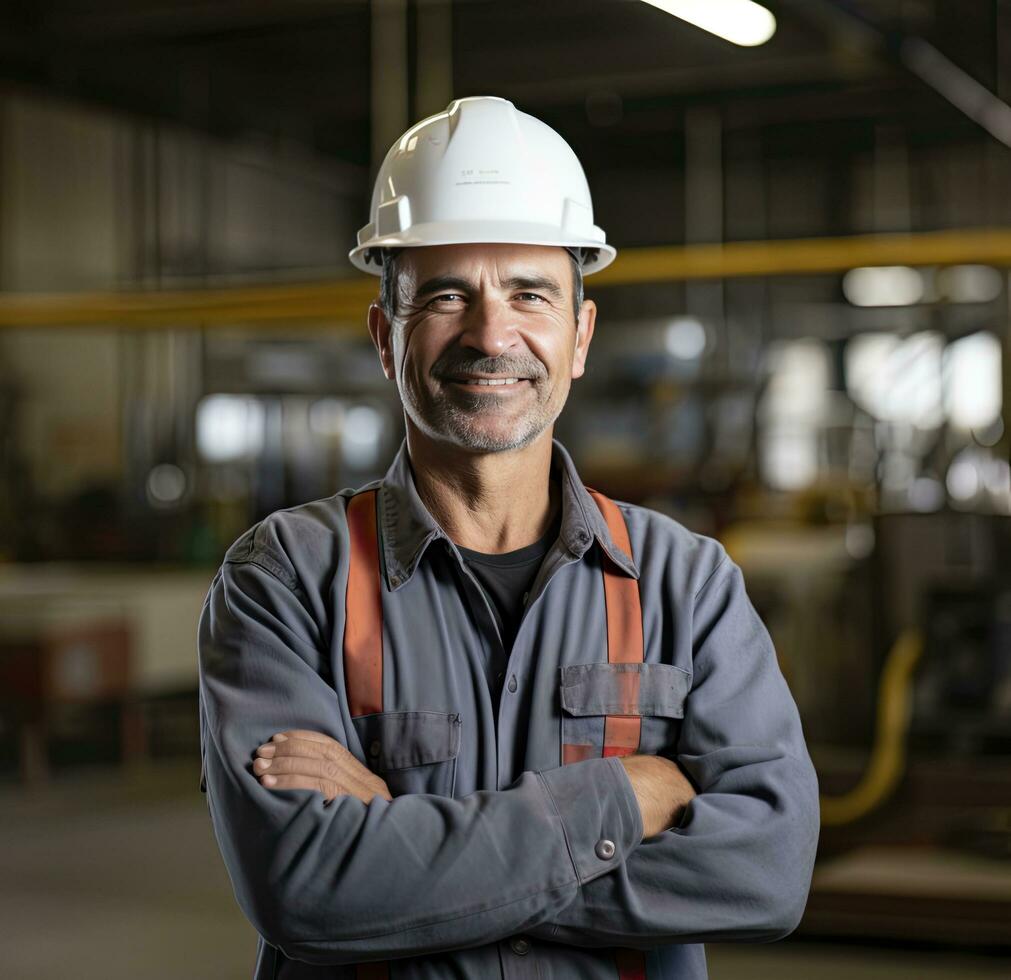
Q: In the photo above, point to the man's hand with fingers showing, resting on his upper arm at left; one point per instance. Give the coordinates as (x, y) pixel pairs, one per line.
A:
(299, 760)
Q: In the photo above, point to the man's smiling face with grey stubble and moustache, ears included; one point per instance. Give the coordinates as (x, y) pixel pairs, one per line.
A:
(474, 314)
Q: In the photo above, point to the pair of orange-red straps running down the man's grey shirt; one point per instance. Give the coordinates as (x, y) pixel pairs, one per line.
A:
(363, 657)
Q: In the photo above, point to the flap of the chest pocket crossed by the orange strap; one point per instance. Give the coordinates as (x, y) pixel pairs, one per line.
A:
(625, 689)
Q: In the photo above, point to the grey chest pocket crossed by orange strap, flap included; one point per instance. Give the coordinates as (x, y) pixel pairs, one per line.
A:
(652, 694)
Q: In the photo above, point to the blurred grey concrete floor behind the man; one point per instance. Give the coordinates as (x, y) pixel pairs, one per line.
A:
(115, 875)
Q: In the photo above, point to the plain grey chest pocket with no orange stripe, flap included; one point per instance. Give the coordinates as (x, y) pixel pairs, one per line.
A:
(414, 752)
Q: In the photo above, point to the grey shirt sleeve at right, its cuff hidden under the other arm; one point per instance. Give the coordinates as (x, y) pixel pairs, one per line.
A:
(739, 867)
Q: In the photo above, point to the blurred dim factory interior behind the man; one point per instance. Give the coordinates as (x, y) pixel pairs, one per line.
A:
(803, 350)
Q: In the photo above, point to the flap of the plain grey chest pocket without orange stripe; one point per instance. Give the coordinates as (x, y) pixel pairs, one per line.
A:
(402, 740)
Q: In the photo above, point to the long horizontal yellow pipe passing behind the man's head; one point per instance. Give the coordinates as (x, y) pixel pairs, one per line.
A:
(341, 304)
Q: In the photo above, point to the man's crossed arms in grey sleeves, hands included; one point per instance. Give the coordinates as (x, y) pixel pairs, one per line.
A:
(367, 877)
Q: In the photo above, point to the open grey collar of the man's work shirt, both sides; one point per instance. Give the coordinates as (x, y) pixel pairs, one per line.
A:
(407, 527)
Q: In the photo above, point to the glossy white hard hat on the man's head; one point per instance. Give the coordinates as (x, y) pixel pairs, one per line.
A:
(482, 171)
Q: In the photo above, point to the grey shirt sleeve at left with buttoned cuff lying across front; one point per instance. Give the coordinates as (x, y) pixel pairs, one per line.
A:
(348, 882)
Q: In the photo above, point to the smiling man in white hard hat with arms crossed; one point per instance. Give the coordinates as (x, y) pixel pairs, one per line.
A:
(477, 721)
